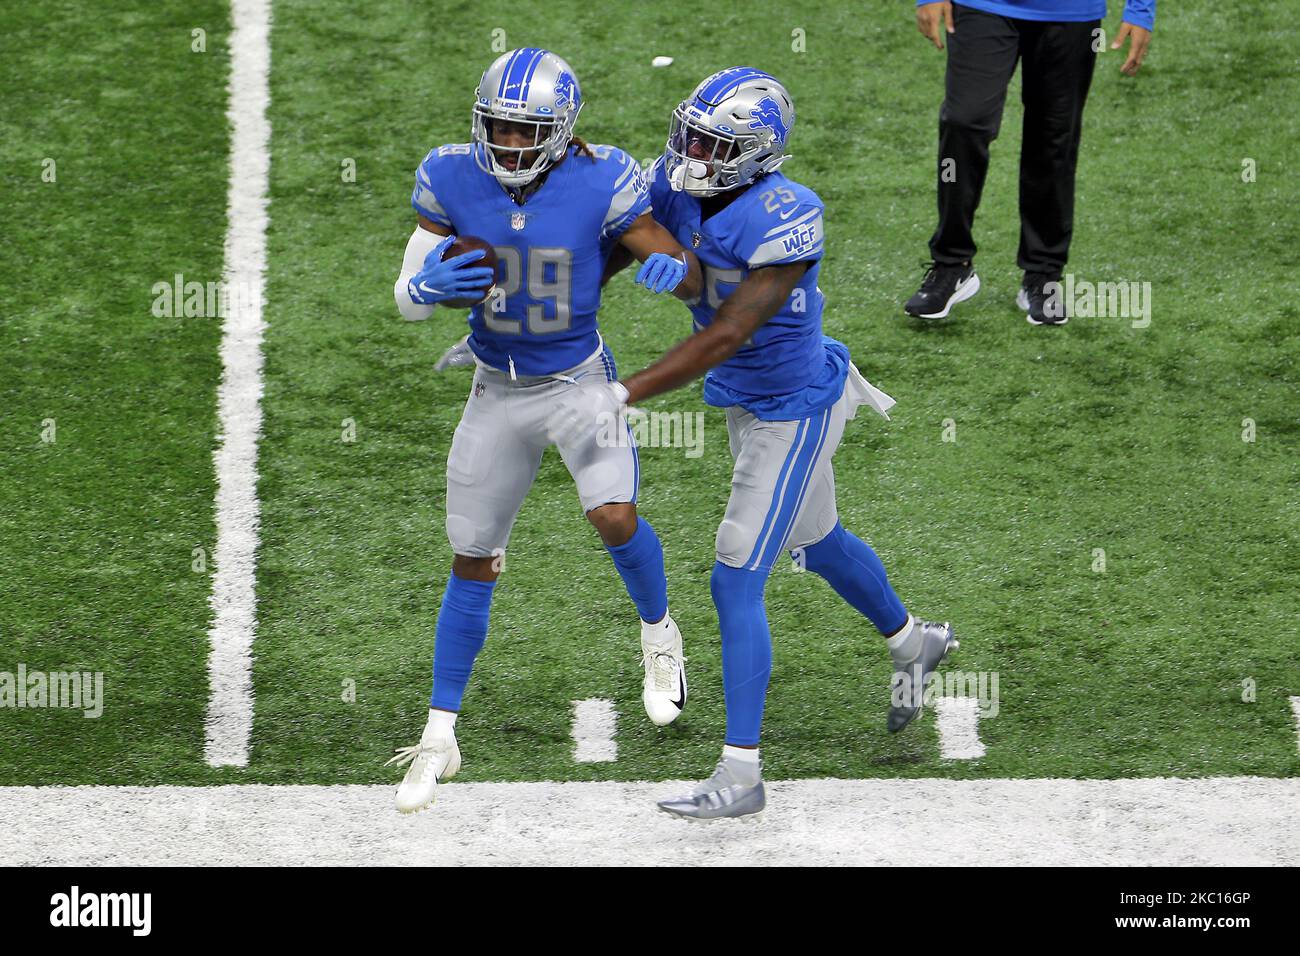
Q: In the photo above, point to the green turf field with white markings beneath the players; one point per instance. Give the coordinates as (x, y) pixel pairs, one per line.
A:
(1095, 436)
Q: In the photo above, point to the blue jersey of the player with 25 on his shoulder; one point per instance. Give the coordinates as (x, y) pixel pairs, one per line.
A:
(788, 370)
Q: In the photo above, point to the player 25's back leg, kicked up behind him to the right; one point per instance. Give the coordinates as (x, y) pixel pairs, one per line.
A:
(821, 544)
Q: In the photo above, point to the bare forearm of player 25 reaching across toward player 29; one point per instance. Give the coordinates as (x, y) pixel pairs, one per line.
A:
(760, 296)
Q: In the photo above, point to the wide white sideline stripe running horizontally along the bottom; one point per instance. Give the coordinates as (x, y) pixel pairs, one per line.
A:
(1241, 821)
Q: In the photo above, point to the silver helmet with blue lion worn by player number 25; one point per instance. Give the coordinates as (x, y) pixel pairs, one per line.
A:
(731, 131)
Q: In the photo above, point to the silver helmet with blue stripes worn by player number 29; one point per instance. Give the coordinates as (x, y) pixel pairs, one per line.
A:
(532, 88)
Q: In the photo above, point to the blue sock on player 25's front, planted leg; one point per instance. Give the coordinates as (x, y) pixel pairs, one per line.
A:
(747, 650)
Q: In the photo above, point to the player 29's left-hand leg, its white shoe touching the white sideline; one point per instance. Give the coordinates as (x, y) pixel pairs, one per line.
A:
(489, 471)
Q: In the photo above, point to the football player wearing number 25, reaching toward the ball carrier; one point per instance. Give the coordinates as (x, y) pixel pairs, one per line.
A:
(788, 392)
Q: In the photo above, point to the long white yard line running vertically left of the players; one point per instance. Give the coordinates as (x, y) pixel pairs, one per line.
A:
(229, 721)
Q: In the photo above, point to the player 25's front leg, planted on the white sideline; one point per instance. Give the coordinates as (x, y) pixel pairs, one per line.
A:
(774, 464)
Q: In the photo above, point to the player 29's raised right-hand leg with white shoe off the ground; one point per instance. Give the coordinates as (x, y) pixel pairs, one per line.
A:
(608, 471)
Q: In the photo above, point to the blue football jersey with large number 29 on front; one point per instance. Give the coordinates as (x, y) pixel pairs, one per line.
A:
(553, 249)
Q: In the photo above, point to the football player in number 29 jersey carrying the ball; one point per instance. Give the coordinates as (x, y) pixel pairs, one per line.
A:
(553, 209)
